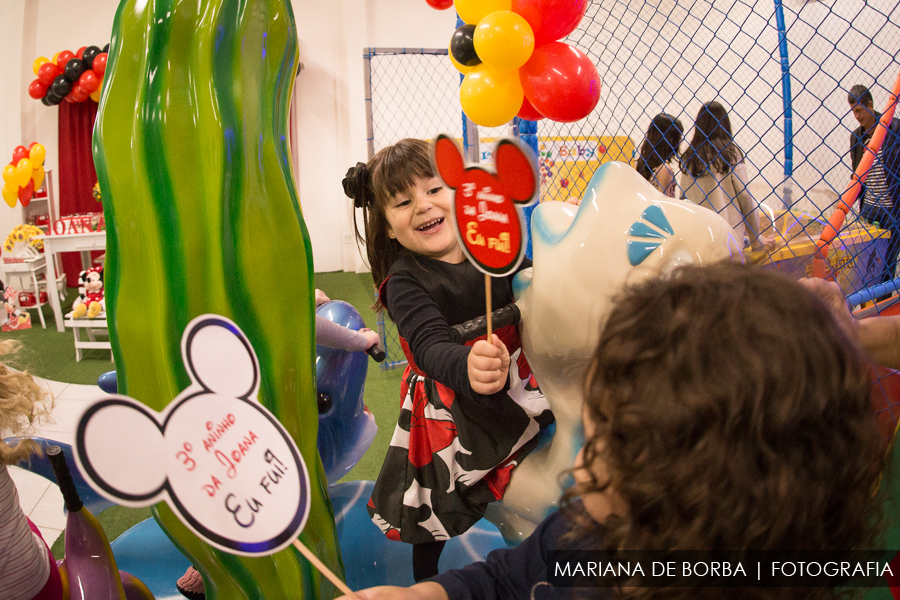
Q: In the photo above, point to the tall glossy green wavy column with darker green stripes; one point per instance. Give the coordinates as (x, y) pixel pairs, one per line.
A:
(202, 214)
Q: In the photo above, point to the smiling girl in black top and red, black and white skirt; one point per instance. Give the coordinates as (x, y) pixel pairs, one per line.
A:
(466, 417)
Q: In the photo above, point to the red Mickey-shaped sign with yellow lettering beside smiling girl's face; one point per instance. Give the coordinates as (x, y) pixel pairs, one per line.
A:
(486, 205)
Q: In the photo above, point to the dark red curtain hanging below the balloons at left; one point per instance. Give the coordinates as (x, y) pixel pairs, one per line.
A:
(76, 172)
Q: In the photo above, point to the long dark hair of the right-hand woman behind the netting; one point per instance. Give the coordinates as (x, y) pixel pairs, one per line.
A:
(712, 147)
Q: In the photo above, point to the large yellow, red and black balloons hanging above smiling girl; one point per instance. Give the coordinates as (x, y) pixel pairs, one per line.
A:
(514, 66)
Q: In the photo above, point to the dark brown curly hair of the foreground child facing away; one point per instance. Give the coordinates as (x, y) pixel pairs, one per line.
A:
(732, 413)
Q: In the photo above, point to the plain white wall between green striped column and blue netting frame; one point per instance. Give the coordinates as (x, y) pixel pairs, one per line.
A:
(329, 107)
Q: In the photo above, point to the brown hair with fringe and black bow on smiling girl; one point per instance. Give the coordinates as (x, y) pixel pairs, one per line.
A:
(391, 171)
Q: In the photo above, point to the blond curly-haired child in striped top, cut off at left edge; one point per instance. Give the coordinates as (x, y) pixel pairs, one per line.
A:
(27, 568)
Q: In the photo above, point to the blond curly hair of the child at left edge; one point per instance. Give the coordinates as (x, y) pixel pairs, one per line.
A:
(22, 403)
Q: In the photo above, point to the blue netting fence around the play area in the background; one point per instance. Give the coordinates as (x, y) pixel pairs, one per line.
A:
(782, 69)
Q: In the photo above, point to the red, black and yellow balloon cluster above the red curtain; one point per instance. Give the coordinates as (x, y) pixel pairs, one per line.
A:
(71, 77)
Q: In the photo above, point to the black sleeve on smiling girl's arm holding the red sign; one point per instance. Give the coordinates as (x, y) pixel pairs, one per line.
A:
(427, 332)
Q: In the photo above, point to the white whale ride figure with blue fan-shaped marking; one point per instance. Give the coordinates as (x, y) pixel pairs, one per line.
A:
(624, 231)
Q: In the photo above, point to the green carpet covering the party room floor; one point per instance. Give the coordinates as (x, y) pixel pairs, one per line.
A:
(51, 355)
